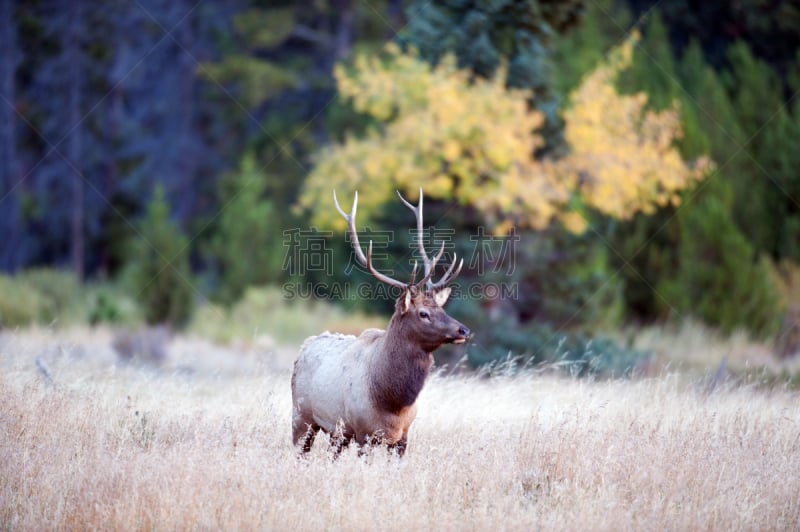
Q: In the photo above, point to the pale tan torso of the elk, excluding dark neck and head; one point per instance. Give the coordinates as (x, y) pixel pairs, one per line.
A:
(331, 390)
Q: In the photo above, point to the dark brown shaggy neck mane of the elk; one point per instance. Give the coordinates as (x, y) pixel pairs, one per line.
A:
(399, 369)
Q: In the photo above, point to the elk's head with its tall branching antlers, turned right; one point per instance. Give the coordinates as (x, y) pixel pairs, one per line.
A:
(419, 312)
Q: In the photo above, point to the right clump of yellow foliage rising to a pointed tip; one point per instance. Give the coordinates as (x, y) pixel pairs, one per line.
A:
(625, 152)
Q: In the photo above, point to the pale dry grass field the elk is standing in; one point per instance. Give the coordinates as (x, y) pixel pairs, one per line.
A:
(203, 442)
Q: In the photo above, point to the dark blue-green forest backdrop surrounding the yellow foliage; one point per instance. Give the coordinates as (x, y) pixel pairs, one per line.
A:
(160, 146)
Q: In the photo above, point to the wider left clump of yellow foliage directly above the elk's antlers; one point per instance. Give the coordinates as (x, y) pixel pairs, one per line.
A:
(470, 140)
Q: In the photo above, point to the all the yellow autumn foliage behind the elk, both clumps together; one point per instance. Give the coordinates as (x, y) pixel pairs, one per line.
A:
(472, 140)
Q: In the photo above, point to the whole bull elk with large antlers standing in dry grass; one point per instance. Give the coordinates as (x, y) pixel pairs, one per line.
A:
(365, 388)
